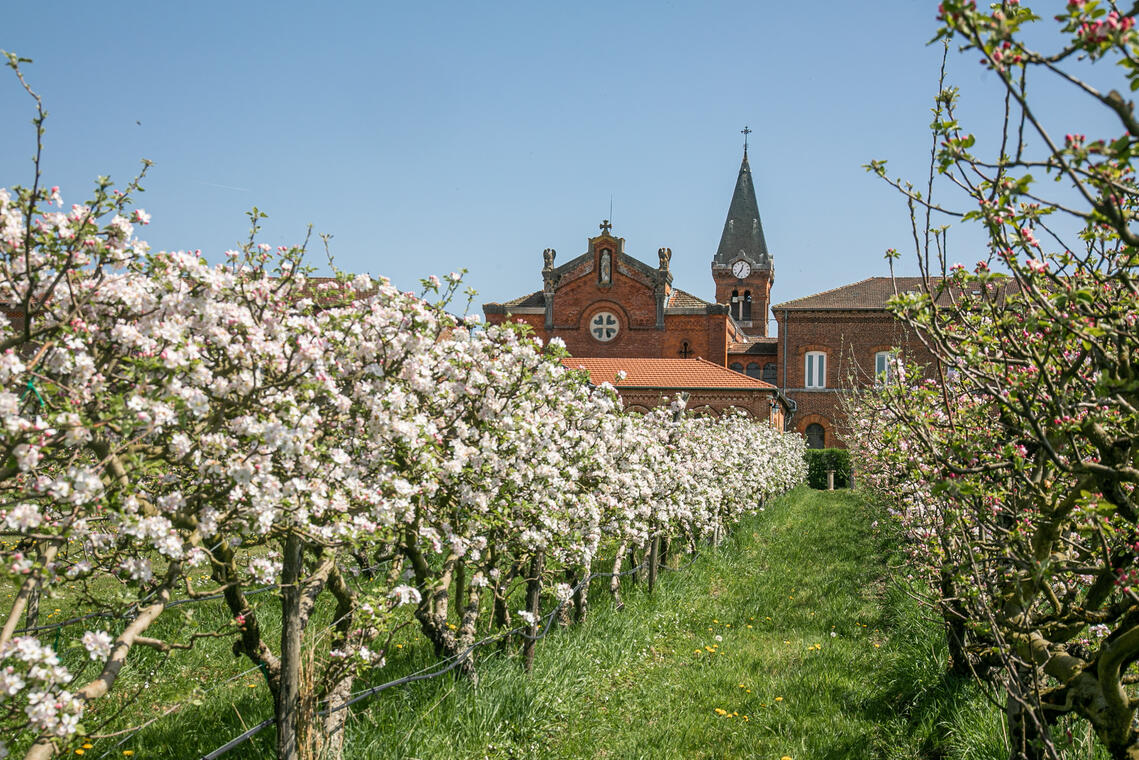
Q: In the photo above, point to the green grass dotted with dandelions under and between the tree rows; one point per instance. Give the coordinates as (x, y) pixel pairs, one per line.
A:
(820, 656)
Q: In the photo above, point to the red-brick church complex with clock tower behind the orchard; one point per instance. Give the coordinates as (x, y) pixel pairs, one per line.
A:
(616, 313)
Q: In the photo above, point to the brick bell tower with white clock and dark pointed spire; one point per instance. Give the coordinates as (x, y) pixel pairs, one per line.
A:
(743, 269)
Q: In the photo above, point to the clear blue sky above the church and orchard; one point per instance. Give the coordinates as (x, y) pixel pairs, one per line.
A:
(428, 137)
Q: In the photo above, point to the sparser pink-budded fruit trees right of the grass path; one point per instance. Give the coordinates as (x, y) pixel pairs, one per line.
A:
(1020, 456)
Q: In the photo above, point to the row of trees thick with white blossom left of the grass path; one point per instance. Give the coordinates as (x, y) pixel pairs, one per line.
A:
(175, 432)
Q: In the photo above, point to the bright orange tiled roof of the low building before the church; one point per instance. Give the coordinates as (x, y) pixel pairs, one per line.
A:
(665, 373)
